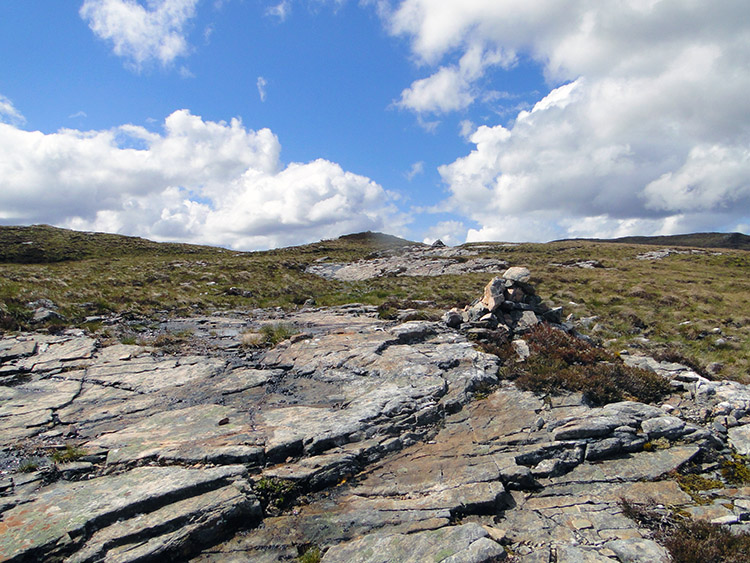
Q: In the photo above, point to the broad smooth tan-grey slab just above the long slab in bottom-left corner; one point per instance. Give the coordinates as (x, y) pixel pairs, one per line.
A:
(191, 434)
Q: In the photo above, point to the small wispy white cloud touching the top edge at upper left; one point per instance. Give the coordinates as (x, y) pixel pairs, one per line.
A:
(142, 34)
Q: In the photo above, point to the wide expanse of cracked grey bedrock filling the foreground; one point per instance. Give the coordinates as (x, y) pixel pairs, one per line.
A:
(368, 440)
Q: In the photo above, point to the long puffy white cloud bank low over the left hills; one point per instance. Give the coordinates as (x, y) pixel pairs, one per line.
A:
(197, 181)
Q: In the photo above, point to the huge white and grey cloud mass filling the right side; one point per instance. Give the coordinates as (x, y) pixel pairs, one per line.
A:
(644, 130)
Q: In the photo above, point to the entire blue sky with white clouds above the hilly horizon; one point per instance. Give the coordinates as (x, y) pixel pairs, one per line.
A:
(254, 124)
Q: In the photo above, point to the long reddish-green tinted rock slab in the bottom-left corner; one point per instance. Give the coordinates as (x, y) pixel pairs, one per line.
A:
(70, 510)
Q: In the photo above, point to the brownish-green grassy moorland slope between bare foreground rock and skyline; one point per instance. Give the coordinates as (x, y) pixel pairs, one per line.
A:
(91, 274)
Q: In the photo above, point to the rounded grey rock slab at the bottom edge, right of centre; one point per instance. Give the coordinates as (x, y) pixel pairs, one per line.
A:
(468, 543)
